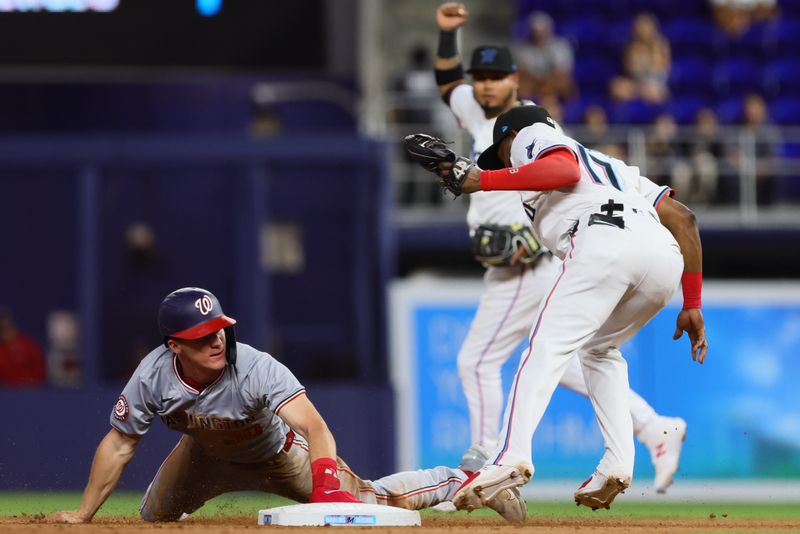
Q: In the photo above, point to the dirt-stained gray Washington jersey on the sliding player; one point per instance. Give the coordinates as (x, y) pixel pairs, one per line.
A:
(233, 419)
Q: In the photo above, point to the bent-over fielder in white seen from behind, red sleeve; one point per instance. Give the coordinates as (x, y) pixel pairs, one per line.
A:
(625, 245)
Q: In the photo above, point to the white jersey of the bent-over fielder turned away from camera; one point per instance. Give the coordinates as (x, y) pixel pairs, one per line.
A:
(603, 178)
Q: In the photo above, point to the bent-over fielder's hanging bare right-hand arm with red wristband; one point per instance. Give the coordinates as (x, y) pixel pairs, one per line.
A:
(681, 222)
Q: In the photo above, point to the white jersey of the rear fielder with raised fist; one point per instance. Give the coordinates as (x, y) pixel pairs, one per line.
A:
(485, 207)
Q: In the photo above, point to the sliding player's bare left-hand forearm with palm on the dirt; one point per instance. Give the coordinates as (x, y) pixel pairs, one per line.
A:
(110, 459)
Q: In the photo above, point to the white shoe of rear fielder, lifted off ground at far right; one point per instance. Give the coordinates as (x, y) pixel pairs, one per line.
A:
(663, 437)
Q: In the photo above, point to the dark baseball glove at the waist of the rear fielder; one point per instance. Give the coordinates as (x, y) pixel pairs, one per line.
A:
(495, 245)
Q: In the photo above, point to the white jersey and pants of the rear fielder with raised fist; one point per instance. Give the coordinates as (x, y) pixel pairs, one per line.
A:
(510, 300)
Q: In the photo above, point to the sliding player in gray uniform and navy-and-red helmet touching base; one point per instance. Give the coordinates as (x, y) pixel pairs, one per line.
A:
(247, 425)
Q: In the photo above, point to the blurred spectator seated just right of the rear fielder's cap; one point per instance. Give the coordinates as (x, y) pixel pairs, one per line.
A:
(544, 62)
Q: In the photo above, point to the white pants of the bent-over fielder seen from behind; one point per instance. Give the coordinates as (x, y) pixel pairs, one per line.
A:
(612, 282)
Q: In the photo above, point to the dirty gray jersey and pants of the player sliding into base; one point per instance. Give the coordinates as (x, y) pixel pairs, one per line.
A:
(234, 439)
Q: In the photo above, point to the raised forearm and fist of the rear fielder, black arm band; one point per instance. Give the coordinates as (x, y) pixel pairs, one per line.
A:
(448, 69)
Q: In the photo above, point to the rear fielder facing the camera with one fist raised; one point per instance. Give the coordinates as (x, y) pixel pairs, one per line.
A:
(514, 289)
